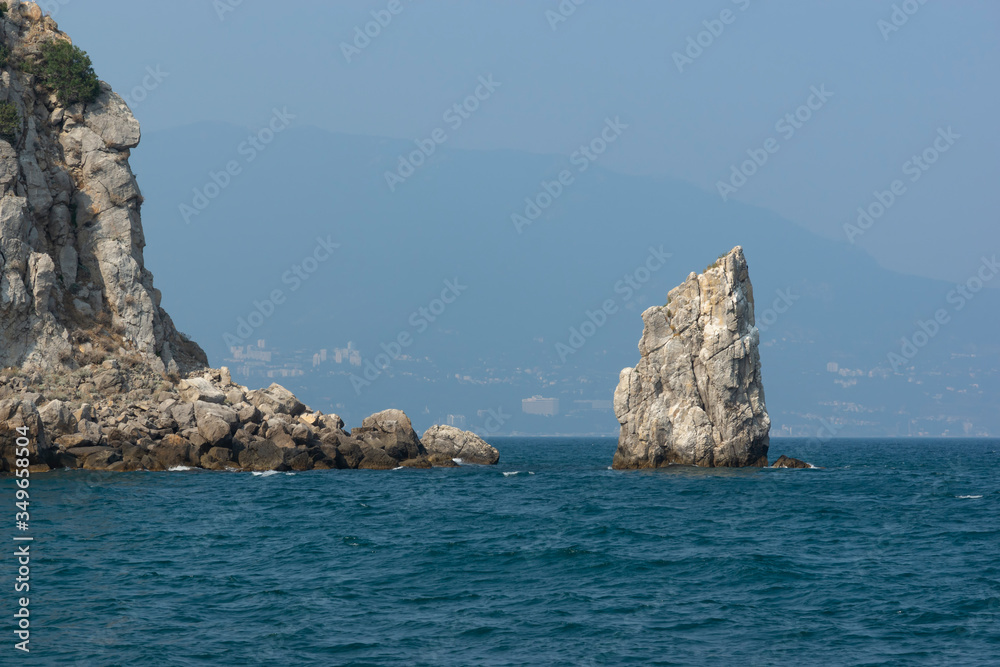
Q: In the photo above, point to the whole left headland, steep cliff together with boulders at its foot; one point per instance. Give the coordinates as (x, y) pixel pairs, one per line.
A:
(92, 365)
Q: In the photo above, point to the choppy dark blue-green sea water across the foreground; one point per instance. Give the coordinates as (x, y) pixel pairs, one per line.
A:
(888, 555)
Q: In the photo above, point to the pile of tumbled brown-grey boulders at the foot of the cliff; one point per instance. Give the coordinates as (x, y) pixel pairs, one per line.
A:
(140, 422)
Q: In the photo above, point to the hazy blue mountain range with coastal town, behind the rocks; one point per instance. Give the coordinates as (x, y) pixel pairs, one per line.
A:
(446, 232)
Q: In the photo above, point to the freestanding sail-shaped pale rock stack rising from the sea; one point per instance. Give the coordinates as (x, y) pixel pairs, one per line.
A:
(696, 396)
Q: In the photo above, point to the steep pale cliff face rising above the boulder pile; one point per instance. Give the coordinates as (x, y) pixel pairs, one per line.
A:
(73, 284)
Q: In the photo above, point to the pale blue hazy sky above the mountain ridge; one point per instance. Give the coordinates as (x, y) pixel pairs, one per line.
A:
(892, 87)
